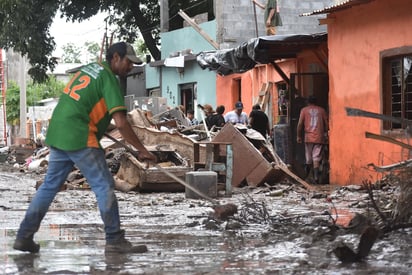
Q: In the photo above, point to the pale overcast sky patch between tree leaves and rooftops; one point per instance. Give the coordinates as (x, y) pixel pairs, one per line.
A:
(91, 30)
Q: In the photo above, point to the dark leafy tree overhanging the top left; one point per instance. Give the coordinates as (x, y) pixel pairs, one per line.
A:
(24, 25)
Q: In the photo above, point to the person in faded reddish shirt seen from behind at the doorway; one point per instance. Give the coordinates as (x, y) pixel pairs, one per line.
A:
(313, 121)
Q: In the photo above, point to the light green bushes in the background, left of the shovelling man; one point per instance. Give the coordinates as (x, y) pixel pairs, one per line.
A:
(52, 88)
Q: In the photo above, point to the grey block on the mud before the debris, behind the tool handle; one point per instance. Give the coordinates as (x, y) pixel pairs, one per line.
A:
(204, 181)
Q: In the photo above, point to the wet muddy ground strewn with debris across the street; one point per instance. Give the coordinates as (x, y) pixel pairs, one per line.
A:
(283, 229)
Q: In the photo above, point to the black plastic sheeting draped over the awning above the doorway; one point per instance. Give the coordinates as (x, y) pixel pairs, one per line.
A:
(261, 50)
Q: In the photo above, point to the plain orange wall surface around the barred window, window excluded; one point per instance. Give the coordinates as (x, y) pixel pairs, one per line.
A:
(355, 39)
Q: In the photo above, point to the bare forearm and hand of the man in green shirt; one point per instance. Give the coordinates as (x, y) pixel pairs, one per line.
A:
(130, 136)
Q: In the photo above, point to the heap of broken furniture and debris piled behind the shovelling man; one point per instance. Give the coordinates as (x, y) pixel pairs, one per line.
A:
(166, 135)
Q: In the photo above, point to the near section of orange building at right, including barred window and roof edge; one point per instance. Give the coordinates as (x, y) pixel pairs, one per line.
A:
(370, 52)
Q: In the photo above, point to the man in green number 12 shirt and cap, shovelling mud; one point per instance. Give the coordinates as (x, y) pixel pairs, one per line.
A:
(88, 103)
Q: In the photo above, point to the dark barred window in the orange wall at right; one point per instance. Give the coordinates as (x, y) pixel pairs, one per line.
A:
(397, 87)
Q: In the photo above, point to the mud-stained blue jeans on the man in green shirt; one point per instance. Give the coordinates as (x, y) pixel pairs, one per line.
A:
(92, 163)
